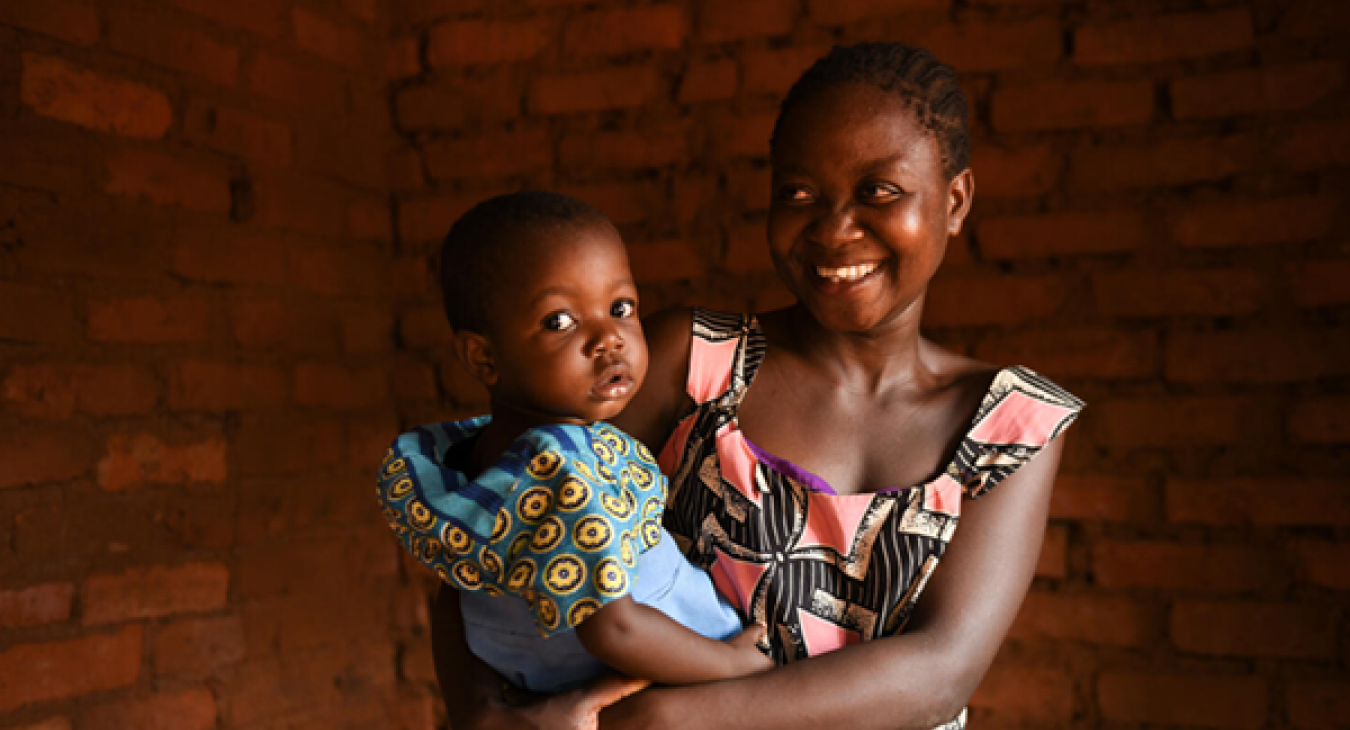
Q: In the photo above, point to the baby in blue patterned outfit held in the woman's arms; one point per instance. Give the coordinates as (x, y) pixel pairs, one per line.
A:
(546, 519)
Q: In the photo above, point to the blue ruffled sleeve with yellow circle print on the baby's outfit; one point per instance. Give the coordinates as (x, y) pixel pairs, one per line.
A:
(578, 504)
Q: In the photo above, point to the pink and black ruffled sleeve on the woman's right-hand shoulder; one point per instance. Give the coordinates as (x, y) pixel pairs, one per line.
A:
(1021, 414)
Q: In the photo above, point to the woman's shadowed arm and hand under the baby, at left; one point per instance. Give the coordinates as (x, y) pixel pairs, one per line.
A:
(473, 692)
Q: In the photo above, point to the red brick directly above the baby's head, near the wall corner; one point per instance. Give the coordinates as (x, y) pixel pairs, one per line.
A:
(493, 156)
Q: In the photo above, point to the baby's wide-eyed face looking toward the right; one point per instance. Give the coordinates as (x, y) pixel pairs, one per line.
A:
(566, 338)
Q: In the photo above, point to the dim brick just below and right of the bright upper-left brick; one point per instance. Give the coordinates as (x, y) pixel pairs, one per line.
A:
(168, 180)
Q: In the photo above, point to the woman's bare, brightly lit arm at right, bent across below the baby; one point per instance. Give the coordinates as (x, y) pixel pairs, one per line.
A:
(919, 679)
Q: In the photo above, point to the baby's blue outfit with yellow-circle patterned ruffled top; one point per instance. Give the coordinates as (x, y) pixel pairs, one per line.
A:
(565, 522)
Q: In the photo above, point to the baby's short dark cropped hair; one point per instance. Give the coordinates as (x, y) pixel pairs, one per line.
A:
(484, 245)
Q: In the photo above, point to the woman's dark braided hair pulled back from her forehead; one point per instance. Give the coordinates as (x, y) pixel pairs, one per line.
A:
(928, 86)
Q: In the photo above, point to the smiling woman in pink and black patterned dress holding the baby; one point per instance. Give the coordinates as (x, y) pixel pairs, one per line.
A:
(821, 457)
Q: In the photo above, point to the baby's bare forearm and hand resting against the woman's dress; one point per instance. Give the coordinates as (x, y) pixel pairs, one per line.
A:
(645, 643)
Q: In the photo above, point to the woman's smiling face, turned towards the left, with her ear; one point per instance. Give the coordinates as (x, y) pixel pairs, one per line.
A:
(861, 210)
